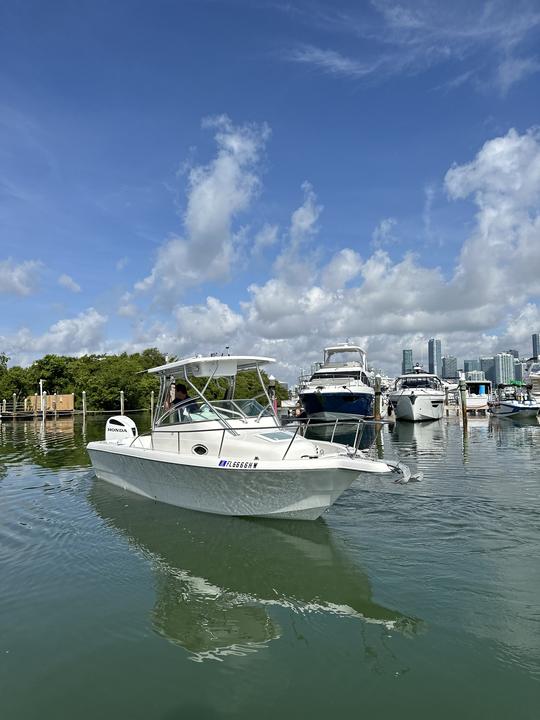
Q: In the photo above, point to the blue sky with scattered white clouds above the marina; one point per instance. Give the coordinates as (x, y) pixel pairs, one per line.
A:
(269, 176)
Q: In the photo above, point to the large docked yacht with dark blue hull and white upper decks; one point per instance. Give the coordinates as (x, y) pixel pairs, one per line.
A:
(340, 387)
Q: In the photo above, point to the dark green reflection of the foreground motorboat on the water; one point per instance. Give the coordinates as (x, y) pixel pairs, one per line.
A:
(218, 578)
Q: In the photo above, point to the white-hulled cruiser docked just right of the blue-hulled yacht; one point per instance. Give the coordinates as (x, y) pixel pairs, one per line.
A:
(417, 396)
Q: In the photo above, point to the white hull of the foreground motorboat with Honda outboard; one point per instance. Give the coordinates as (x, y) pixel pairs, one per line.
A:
(290, 491)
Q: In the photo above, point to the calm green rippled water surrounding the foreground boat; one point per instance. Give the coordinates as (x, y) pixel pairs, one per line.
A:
(416, 601)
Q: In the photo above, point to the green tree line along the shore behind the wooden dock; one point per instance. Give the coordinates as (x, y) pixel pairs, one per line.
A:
(103, 376)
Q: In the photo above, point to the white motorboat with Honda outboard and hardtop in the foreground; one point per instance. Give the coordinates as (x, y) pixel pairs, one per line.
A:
(229, 457)
